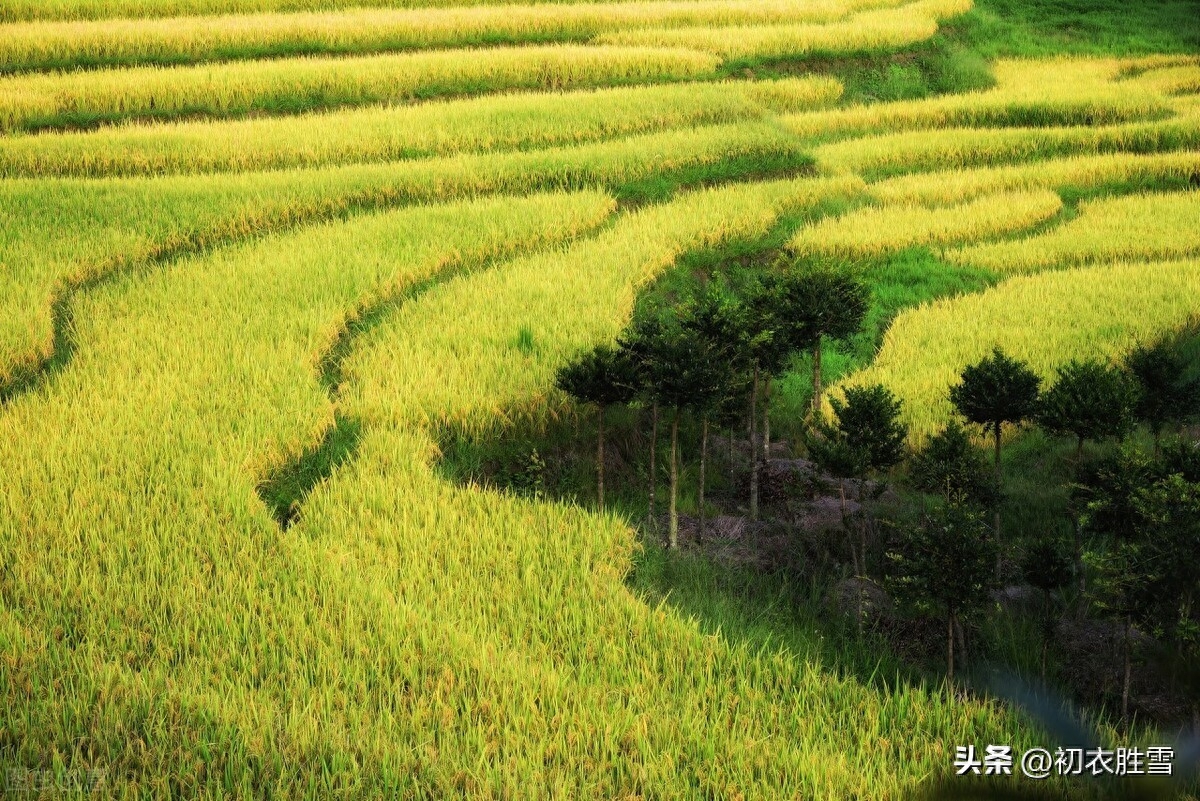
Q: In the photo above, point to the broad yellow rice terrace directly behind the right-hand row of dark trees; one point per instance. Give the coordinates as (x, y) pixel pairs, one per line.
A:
(1045, 320)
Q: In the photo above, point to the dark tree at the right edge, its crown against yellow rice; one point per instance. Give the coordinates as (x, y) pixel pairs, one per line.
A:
(1166, 395)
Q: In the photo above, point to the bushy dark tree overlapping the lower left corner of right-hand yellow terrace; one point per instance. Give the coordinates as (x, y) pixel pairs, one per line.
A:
(867, 436)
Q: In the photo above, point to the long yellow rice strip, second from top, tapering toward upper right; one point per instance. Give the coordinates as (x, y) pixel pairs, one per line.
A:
(190, 40)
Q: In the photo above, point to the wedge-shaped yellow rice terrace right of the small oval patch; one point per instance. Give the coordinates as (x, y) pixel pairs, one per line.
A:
(1141, 227)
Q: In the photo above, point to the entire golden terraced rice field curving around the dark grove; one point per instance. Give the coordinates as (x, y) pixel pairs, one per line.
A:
(201, 203)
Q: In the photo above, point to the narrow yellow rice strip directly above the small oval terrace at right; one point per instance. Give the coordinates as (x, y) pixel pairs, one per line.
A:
(1076, 173)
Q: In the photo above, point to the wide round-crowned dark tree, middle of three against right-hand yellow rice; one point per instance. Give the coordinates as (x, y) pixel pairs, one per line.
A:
(1090, 401)
